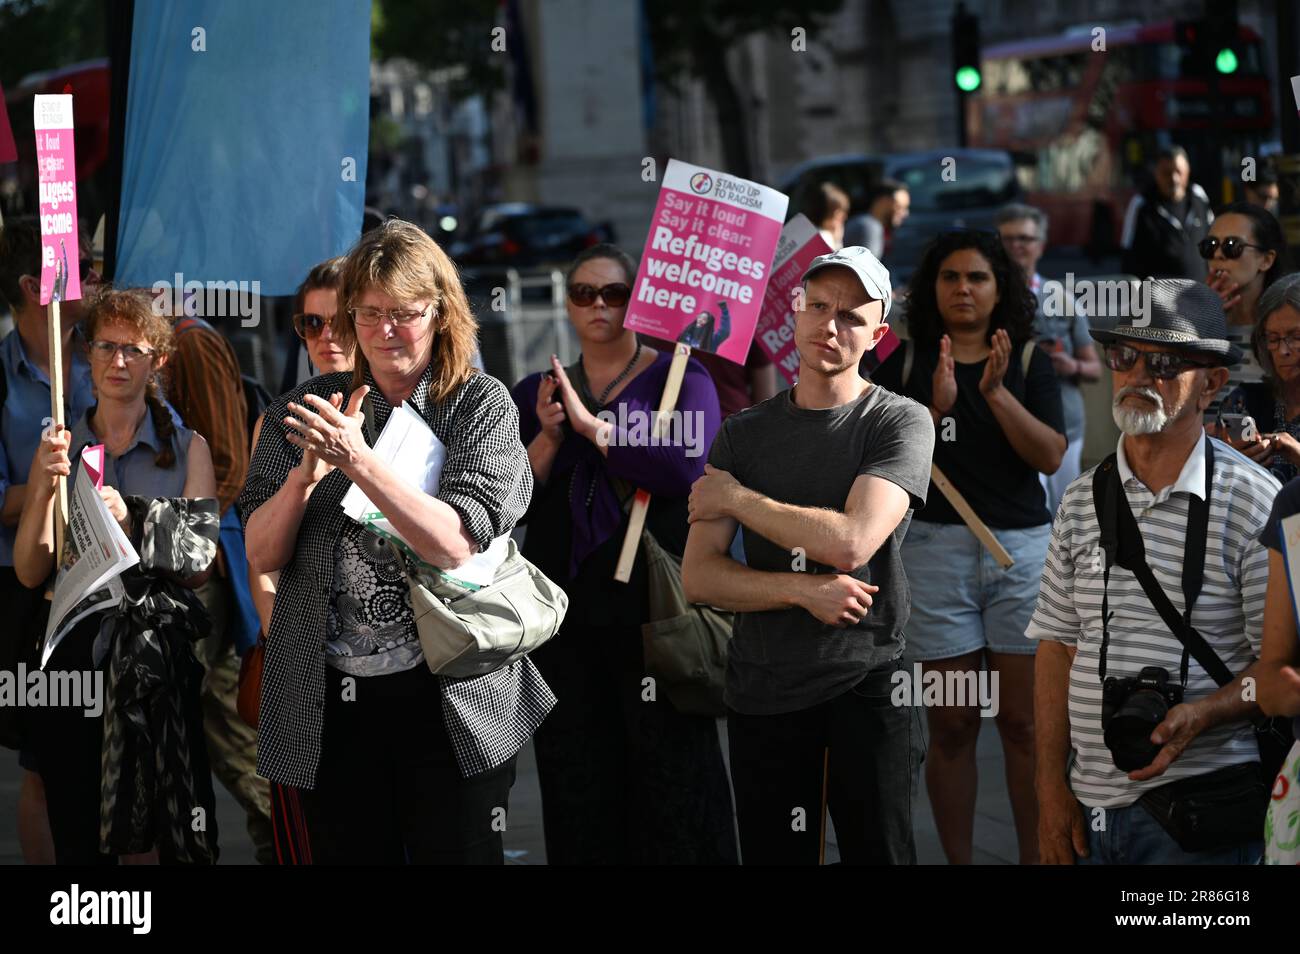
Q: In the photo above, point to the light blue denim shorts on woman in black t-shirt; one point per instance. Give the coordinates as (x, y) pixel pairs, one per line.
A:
(963, 601)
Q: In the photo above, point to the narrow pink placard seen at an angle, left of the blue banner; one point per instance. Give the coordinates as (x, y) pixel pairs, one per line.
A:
(57, 177)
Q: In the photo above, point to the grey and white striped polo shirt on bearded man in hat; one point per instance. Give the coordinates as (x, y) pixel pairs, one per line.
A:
(1229, 612)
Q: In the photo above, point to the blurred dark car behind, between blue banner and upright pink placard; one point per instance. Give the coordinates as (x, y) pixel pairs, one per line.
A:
(526, 236)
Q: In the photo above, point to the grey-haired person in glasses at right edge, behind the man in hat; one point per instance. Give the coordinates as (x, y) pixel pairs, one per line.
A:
(1272, 435)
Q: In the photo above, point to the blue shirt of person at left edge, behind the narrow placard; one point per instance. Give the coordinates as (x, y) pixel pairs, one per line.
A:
(25, 411)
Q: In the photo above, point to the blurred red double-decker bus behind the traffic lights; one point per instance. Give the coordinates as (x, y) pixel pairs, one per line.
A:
(1085, 123)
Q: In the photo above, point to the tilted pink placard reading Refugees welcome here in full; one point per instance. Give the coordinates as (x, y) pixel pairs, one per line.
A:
(708, 261)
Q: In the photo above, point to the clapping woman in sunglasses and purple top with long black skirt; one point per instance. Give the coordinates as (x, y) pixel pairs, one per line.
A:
(625, 777)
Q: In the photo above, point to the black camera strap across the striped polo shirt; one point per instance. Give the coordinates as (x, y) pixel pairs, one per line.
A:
(1123, 544)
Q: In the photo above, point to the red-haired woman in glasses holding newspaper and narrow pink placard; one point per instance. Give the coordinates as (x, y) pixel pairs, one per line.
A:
(133, 779)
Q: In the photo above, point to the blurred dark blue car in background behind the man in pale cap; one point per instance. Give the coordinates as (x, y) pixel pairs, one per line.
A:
(981, 183)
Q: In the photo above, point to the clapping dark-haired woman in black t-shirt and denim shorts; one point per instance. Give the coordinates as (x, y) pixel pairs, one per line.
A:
(999, 426)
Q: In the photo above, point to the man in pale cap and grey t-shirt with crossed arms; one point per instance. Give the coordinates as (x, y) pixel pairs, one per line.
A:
(830, 472)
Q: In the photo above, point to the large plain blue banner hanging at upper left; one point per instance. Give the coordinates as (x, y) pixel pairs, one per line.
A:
(248, 127)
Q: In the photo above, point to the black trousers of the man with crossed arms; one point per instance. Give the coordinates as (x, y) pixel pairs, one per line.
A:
(778, 769)
